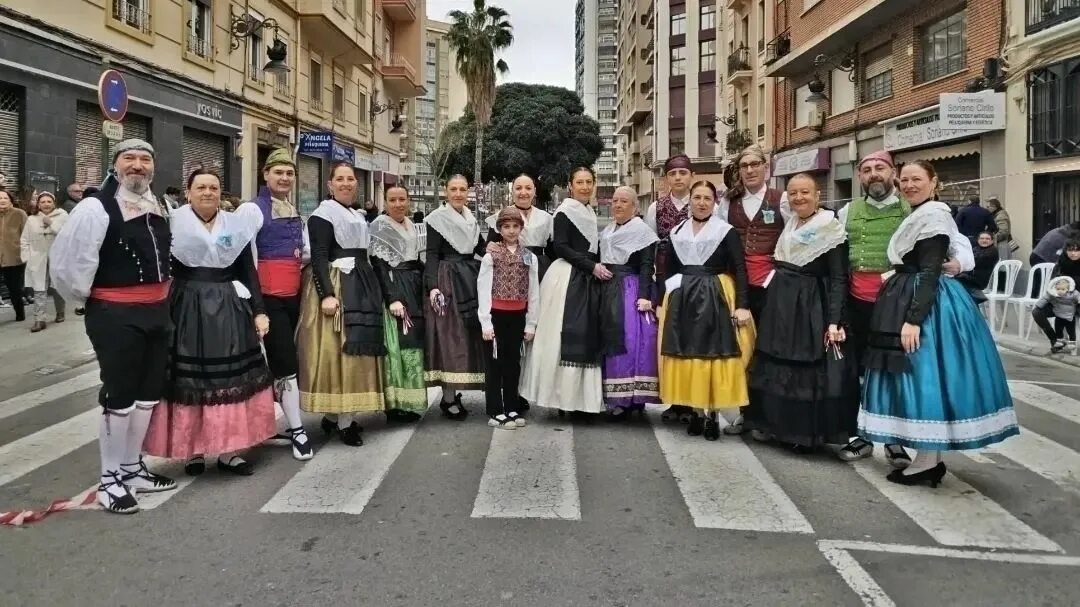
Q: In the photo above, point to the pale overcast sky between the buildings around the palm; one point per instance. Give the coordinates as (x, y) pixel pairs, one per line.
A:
(544, 38)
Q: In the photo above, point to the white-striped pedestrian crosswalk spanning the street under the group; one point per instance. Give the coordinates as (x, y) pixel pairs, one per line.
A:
(535, 474)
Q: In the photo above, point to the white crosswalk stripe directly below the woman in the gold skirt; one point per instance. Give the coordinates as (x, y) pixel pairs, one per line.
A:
(343, 479)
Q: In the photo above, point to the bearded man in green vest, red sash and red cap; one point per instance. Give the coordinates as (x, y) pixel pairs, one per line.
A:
(871, 222)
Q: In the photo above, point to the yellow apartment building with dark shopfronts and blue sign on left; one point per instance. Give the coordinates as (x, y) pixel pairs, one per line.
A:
(200, 89)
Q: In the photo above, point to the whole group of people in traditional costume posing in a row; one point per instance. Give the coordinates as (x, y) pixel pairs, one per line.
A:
(806, 327)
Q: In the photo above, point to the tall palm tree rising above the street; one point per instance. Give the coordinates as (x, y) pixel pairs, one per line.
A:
(476, 38)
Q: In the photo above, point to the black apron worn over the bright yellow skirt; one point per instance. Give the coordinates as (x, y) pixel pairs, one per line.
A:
(698, 323)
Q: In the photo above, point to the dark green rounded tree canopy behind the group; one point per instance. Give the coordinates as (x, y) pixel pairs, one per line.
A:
(536, 129)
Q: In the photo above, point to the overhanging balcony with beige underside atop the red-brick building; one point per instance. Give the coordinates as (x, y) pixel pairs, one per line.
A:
(857, 26)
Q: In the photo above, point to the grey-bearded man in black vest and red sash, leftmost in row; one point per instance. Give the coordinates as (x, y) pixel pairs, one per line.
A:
(114, 254)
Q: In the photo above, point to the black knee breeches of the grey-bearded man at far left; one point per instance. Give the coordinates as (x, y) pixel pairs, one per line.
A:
(132, 343)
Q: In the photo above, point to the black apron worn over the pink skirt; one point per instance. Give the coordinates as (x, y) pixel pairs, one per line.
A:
(215, 357)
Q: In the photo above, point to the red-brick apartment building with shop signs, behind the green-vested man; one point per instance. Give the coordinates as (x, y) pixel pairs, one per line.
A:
(856, 77)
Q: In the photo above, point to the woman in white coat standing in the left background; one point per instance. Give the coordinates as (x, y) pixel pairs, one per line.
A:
(38, 236)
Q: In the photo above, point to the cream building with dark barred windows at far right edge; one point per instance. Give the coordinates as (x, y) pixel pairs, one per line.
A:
(1044, 118)
